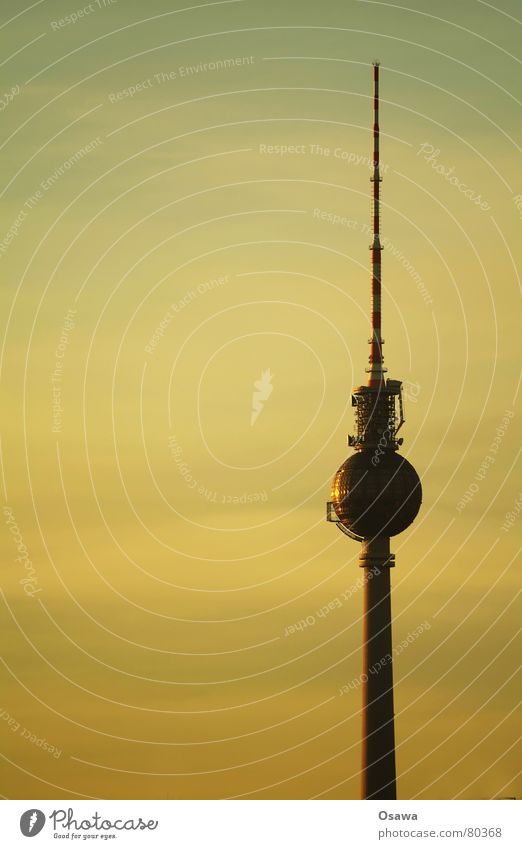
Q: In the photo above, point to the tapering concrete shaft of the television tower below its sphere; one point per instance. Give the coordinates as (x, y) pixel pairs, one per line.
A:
(378, 777)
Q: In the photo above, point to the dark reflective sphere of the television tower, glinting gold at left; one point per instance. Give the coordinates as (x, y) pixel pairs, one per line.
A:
(376, 495)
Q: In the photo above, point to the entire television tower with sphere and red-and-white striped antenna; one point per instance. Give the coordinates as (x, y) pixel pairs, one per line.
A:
(376, 494)
